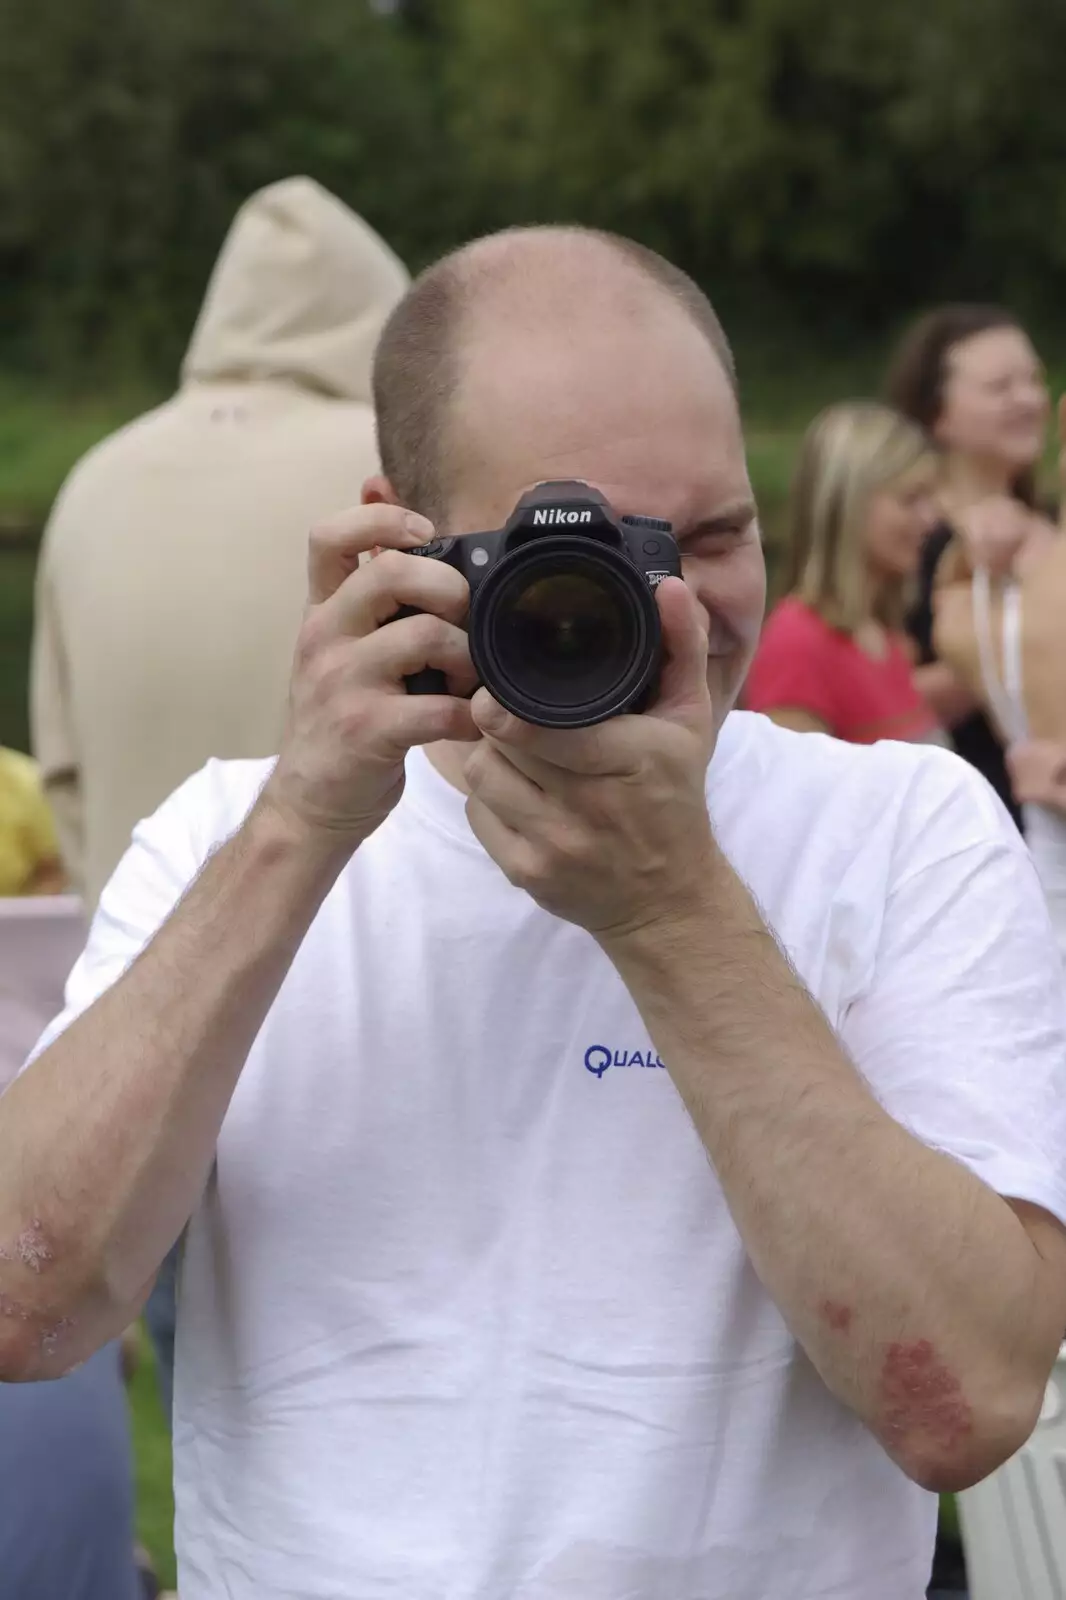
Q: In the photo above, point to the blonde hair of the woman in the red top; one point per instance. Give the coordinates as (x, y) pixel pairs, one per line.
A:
(849, 454)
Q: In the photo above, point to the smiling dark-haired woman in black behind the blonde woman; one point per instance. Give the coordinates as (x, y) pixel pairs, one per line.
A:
(971, 377)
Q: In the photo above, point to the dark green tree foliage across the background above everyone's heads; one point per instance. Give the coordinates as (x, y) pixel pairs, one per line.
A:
(843, 161)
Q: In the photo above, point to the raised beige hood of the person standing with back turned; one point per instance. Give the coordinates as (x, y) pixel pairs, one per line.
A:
(300, 294)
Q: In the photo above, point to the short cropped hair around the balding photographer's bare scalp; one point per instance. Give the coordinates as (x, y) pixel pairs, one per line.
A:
(417, 367)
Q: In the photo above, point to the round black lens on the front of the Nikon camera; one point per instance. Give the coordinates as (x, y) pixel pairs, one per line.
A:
(566, 636)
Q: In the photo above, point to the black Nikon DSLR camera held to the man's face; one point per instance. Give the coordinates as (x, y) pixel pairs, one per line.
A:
(564, 626)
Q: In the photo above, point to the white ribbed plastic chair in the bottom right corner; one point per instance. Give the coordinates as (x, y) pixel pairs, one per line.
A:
(1014, 1524)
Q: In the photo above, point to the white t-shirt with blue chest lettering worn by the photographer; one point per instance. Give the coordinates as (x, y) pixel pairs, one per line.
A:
(463, 1313)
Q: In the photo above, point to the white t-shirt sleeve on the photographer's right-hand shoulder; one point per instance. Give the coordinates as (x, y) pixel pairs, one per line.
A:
(961, 1030)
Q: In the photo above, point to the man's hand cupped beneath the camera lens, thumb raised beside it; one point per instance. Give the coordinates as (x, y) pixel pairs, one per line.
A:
(606, 826)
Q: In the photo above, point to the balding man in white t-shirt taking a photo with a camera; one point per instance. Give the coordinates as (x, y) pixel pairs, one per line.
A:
(619, 1164)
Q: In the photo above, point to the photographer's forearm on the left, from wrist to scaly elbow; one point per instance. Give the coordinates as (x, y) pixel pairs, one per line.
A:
(108, 1140)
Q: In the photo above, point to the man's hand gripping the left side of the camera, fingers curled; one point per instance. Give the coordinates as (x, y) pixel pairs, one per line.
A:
(351, 721)
